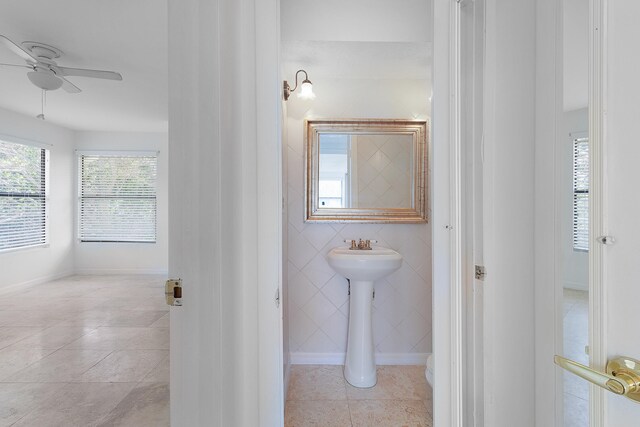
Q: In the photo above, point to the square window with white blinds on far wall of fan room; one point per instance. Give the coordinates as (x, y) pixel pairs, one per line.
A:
(117, 197)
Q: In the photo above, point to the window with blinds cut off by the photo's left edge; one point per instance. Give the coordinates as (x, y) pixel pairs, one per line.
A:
(23, 195)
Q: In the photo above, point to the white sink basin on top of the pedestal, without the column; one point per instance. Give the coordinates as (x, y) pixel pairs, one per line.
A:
(368, 265)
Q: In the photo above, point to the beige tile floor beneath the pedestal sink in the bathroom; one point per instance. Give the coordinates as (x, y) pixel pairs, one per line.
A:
(319, 396)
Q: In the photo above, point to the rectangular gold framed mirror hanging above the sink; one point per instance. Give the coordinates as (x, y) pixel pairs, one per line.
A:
(366, 170)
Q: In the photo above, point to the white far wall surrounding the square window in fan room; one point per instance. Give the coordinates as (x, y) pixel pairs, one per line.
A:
(105, 258)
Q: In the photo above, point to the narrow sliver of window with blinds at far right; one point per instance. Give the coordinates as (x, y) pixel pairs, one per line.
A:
(581, 194)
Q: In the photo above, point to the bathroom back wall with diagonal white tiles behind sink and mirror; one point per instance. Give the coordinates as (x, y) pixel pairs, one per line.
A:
(318, 300)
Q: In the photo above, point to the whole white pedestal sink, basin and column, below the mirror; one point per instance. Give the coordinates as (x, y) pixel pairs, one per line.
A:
(362, 268)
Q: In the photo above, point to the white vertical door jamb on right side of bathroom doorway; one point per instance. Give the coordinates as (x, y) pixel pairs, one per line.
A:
(447, 218)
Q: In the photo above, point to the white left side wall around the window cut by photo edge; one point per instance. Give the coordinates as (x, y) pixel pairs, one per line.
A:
(55, 260)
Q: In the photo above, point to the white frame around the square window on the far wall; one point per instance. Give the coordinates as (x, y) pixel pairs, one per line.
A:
(108, 153)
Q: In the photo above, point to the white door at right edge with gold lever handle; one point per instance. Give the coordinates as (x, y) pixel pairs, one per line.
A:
(621, 266)
